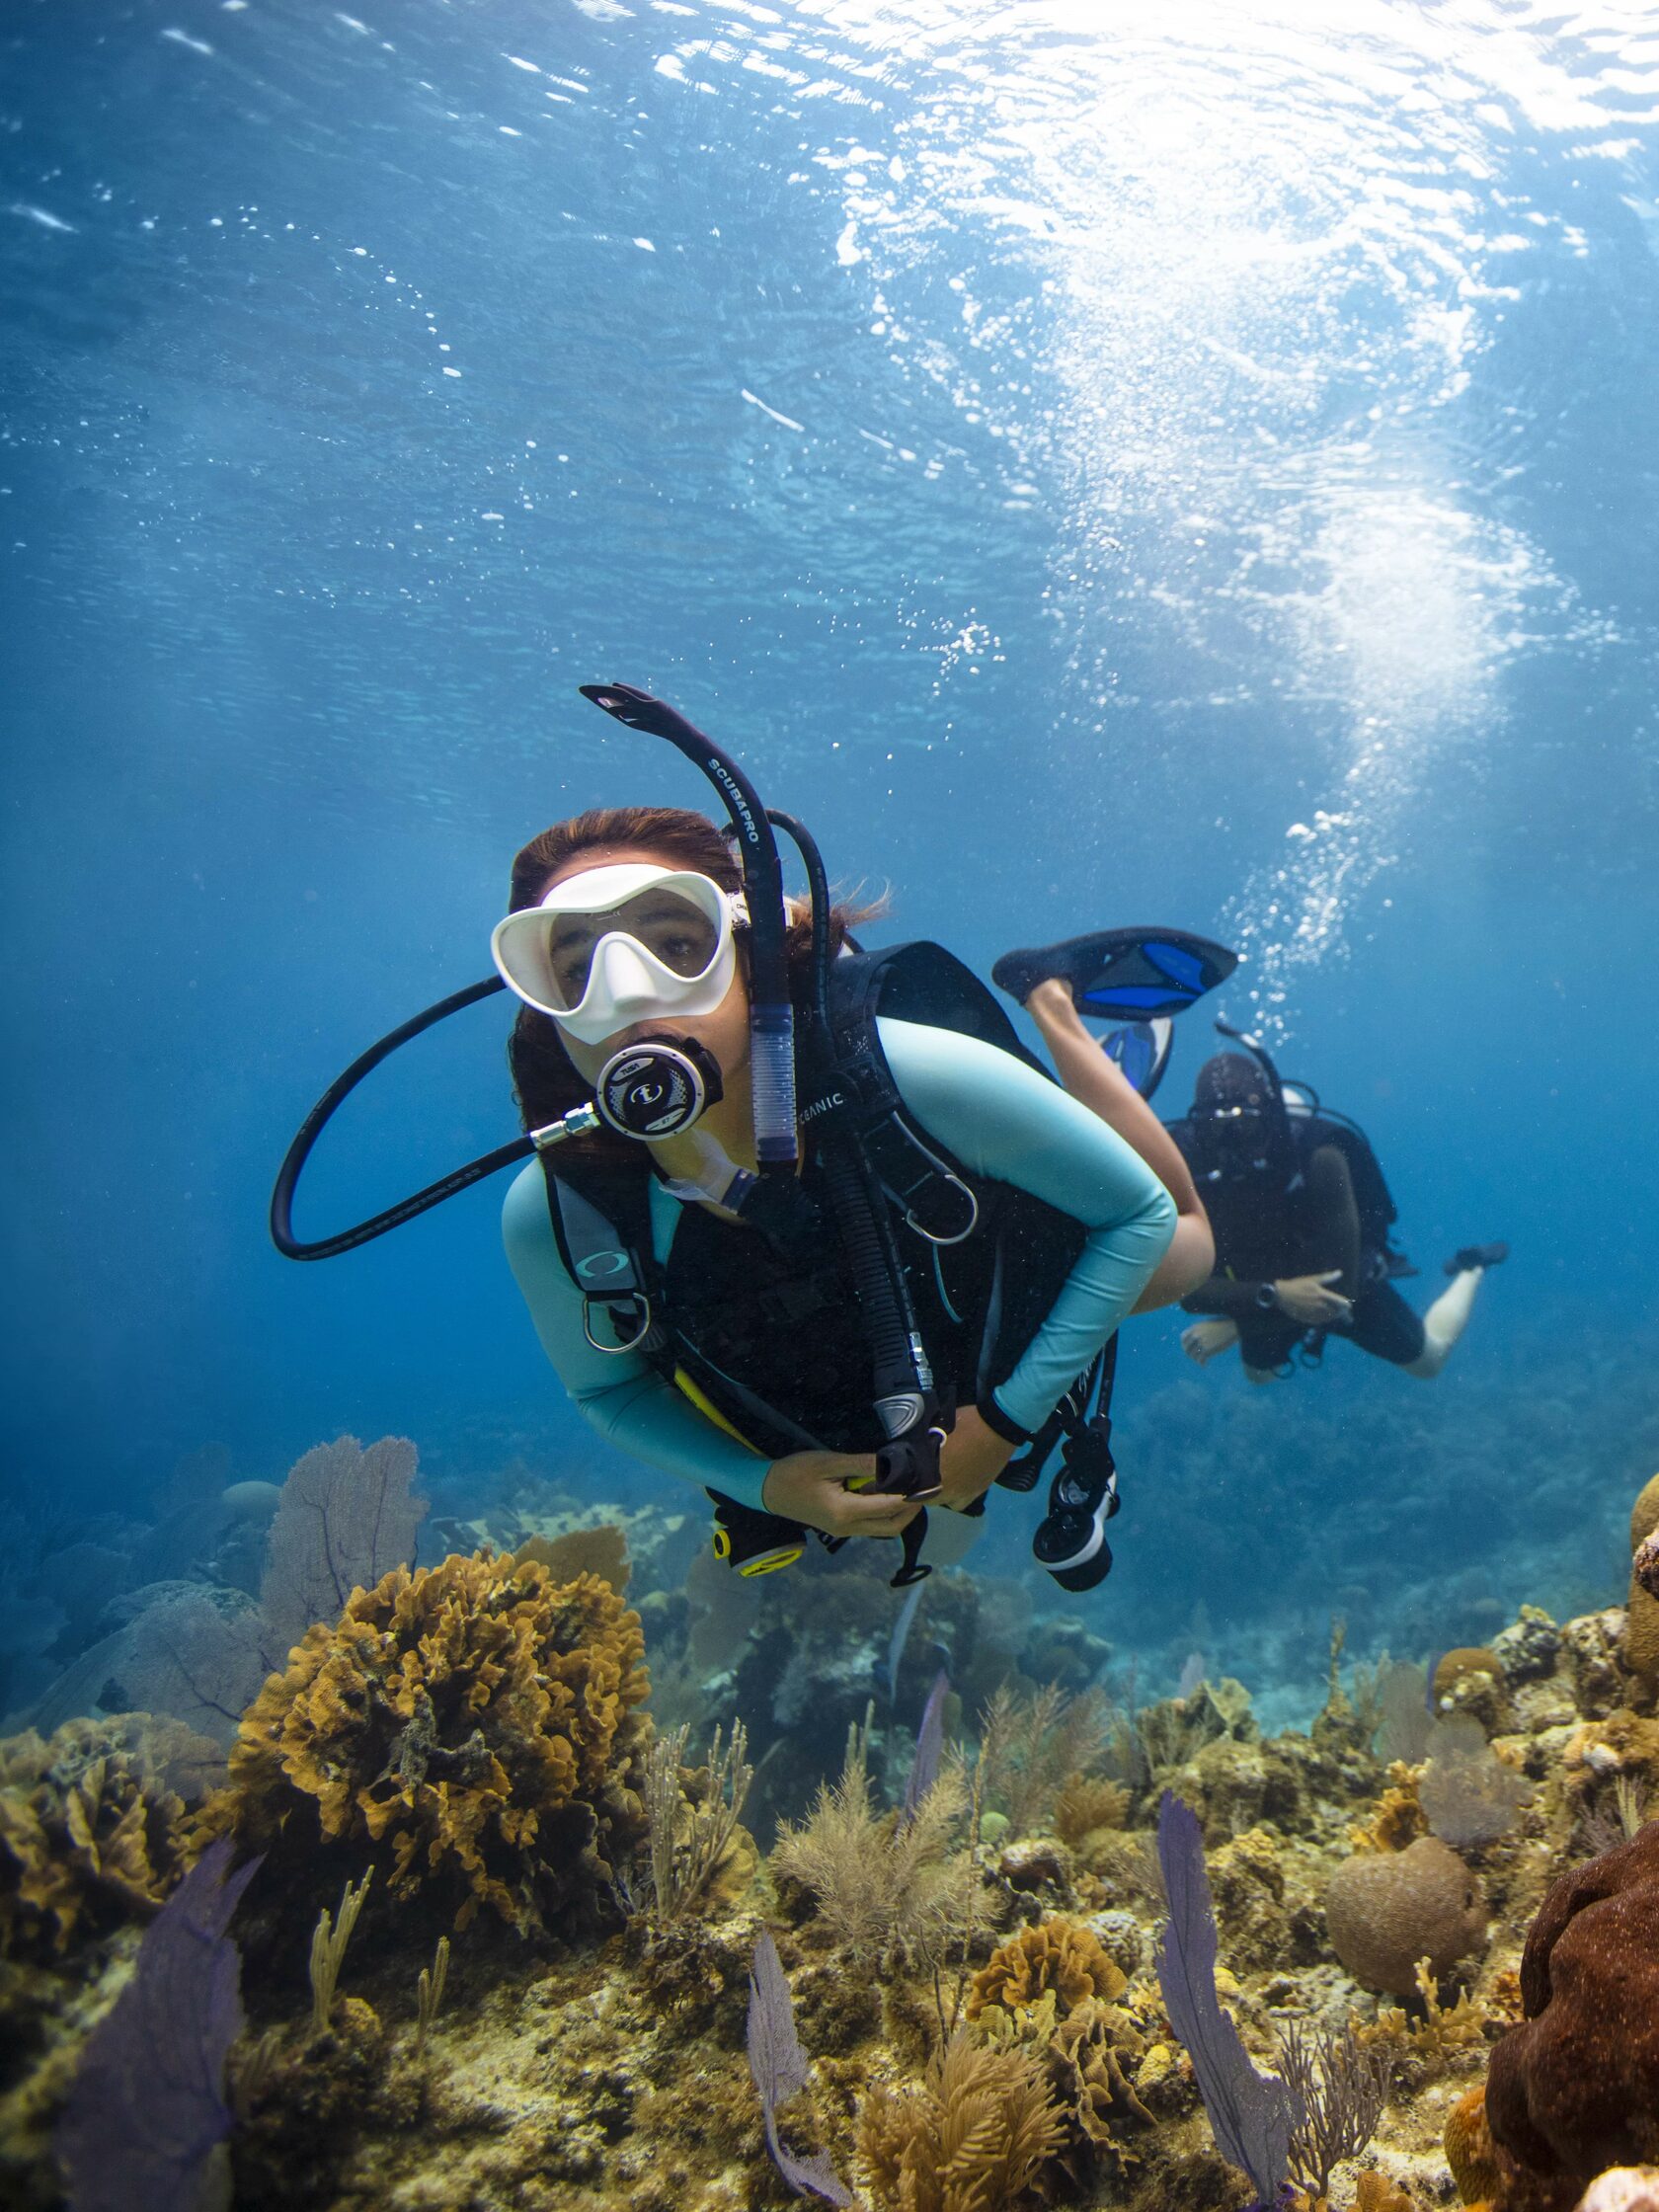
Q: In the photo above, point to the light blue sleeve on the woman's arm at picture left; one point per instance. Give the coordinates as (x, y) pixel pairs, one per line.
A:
(616, 1392)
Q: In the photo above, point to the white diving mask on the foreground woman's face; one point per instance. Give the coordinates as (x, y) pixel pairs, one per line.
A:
(620, 946)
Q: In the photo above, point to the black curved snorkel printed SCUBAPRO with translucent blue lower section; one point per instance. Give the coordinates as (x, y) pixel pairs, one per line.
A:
(771, 1008)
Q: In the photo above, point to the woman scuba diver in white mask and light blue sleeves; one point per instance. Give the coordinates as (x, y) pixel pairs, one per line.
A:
(806, 1224)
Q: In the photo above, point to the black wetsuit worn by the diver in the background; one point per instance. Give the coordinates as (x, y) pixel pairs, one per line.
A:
(1266, 1235)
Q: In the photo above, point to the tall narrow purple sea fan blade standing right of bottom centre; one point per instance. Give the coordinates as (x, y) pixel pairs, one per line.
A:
(1251, 2114)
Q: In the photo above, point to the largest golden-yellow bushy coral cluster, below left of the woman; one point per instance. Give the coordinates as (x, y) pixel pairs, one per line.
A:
(479, 1720)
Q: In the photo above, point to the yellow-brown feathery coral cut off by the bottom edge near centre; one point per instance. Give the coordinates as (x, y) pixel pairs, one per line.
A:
(972, 2136)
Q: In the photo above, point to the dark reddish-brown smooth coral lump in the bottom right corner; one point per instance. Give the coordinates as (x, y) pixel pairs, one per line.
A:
(1576, 2087)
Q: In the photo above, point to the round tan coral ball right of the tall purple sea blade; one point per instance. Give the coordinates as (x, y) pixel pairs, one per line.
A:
(1390, 1910)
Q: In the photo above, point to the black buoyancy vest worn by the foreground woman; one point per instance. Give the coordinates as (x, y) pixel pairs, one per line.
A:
(773, 1337)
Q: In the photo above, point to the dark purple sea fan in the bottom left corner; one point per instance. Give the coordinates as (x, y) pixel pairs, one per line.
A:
(147, 2109)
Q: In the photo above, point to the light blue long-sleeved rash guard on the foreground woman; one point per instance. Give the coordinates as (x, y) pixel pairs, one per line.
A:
(1001, 1120)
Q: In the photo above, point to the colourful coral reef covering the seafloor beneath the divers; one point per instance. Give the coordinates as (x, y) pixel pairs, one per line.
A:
(970, 1921)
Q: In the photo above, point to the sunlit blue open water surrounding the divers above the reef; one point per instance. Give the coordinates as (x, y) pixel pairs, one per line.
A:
(1092, 472)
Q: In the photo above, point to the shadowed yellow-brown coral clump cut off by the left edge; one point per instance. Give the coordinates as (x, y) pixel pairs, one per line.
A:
(92, 1828)
